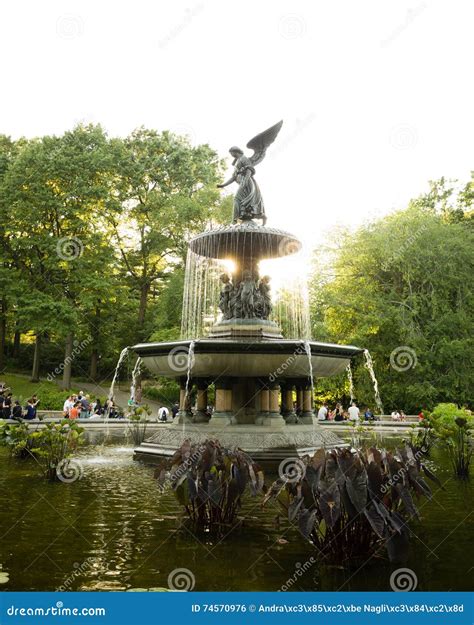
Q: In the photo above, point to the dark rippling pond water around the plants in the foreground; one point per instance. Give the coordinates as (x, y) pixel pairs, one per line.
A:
(114, 530)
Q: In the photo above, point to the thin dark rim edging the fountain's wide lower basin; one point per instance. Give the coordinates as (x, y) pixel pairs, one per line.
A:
(209, 346)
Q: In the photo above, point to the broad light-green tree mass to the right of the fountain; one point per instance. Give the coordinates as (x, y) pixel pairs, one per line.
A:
(405, 292)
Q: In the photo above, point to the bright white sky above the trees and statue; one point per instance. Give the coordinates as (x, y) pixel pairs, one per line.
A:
(376, 97)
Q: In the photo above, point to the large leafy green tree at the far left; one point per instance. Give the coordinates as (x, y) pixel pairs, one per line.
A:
(51, 202)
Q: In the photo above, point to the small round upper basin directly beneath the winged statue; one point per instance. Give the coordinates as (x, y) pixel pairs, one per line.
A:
(246, 239)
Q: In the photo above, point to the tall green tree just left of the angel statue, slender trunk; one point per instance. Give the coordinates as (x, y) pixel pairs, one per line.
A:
(166, 191)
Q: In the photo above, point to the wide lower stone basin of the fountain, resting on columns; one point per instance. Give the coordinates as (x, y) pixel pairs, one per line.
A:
(277, 359)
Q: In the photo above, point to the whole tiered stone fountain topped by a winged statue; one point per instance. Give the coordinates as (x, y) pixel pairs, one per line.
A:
(255, 371)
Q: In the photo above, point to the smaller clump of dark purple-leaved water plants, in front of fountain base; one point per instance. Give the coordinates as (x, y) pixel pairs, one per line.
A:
(209, 481)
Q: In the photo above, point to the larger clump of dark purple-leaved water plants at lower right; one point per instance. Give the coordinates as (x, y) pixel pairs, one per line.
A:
(350, 503)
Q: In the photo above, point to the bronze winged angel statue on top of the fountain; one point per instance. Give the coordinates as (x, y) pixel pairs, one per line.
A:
(248, 201)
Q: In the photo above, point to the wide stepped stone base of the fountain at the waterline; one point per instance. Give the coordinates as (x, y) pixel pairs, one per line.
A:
(265, 443)
